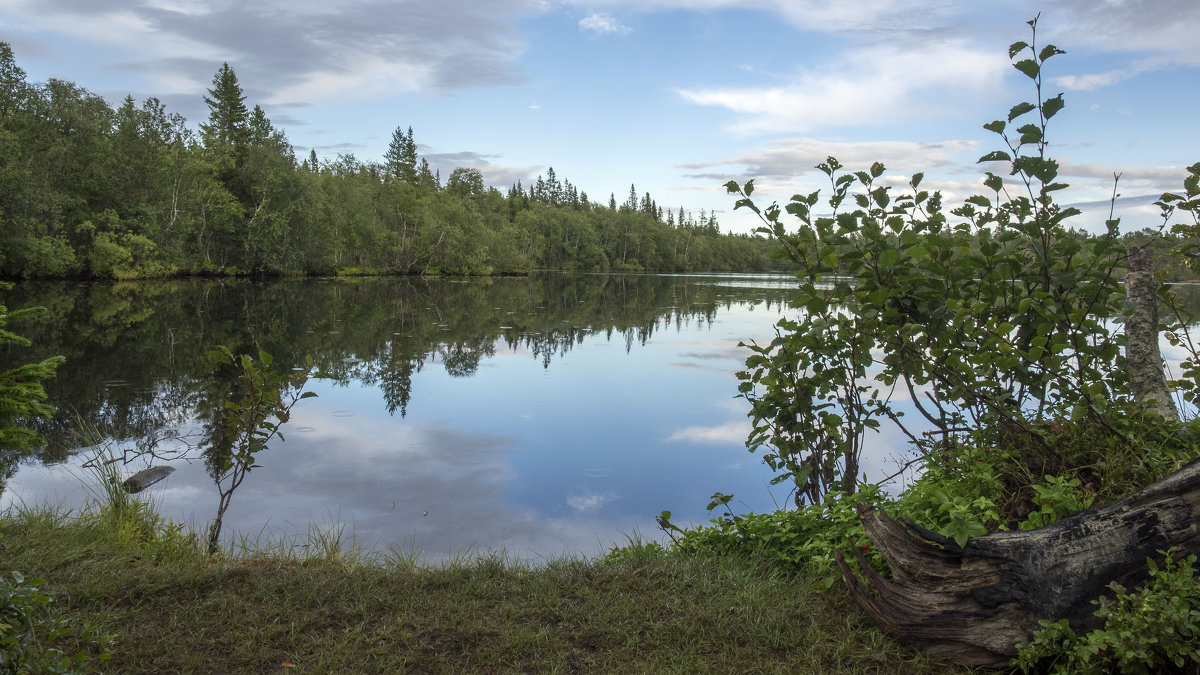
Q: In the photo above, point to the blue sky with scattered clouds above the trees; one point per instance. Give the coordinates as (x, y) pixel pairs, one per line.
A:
(673, 97)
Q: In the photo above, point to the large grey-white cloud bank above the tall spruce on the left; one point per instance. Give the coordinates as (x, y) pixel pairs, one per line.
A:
(301, 52)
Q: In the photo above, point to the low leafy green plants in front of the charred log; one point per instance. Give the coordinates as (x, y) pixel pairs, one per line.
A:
(1144, 631)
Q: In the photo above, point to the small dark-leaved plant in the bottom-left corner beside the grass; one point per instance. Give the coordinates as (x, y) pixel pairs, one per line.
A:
(29, 634)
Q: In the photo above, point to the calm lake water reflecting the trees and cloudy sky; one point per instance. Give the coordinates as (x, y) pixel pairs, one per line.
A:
(542, 416)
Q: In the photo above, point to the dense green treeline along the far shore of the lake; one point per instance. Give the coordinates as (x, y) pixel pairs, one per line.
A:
(92, 192)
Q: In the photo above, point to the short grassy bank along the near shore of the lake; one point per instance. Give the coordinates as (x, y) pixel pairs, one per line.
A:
(171, 608)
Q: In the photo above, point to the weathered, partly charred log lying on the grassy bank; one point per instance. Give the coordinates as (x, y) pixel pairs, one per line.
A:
(976, 604)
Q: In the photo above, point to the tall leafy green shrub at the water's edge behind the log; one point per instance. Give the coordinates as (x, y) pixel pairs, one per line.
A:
(997, 322)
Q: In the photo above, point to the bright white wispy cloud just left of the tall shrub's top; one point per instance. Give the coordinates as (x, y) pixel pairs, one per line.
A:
(873, 86)
